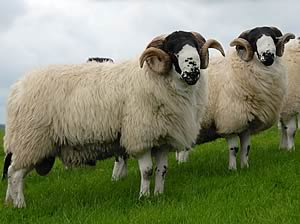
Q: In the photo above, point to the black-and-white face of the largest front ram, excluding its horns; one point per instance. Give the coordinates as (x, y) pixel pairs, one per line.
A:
(182, 48)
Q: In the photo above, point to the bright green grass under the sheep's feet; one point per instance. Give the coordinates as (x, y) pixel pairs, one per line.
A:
(200, 191)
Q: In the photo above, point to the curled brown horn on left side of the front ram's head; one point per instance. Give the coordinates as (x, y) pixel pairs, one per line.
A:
(156, 59)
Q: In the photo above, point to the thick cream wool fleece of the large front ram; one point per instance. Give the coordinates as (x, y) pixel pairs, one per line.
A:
(93, 103)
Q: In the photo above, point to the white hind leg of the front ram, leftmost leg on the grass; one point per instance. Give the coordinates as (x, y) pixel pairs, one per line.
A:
(15, 186)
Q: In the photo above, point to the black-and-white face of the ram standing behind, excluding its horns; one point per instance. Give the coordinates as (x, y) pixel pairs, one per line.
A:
(263, 41)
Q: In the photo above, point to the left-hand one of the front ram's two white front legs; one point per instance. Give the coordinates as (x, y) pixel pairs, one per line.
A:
(145, 165)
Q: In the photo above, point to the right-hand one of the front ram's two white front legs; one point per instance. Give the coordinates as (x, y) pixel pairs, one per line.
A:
(161, 158)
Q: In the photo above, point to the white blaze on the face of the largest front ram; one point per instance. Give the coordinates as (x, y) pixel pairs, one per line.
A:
(188, 58)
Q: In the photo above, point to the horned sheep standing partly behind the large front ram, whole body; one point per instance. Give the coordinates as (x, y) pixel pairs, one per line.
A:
(251, 83)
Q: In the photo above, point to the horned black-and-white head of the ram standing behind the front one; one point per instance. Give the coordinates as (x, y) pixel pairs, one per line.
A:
(266, 43)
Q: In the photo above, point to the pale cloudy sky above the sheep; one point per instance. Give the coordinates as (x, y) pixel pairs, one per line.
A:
(35, 33)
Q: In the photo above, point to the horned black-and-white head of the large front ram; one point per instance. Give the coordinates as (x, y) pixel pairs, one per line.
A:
(184, 52)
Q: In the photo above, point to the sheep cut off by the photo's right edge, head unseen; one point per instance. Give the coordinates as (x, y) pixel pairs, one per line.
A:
(291, 104)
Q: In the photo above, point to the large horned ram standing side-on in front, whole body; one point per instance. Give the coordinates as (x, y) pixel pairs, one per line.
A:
(148, 104)
